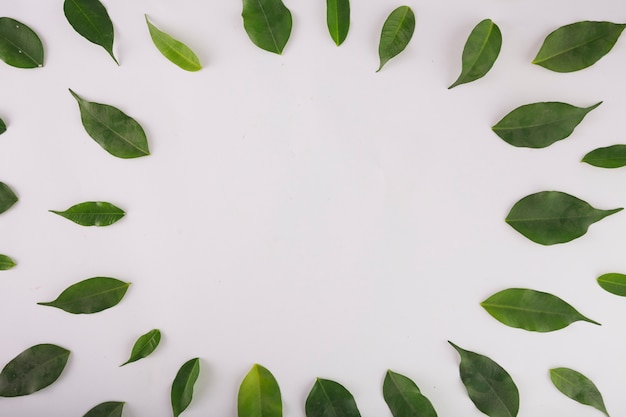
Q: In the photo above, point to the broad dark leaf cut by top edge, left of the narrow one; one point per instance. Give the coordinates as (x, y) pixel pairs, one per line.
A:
(267, 23)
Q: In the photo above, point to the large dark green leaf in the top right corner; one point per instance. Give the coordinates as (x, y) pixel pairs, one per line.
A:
(578, 45)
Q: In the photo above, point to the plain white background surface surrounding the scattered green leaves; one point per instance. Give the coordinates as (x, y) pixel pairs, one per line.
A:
(304, 212)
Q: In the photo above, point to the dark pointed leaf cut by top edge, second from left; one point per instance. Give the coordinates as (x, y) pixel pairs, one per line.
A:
(90, 19)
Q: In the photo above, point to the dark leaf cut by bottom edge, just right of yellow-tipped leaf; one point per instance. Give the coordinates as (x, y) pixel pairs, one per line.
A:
(330, 399)
